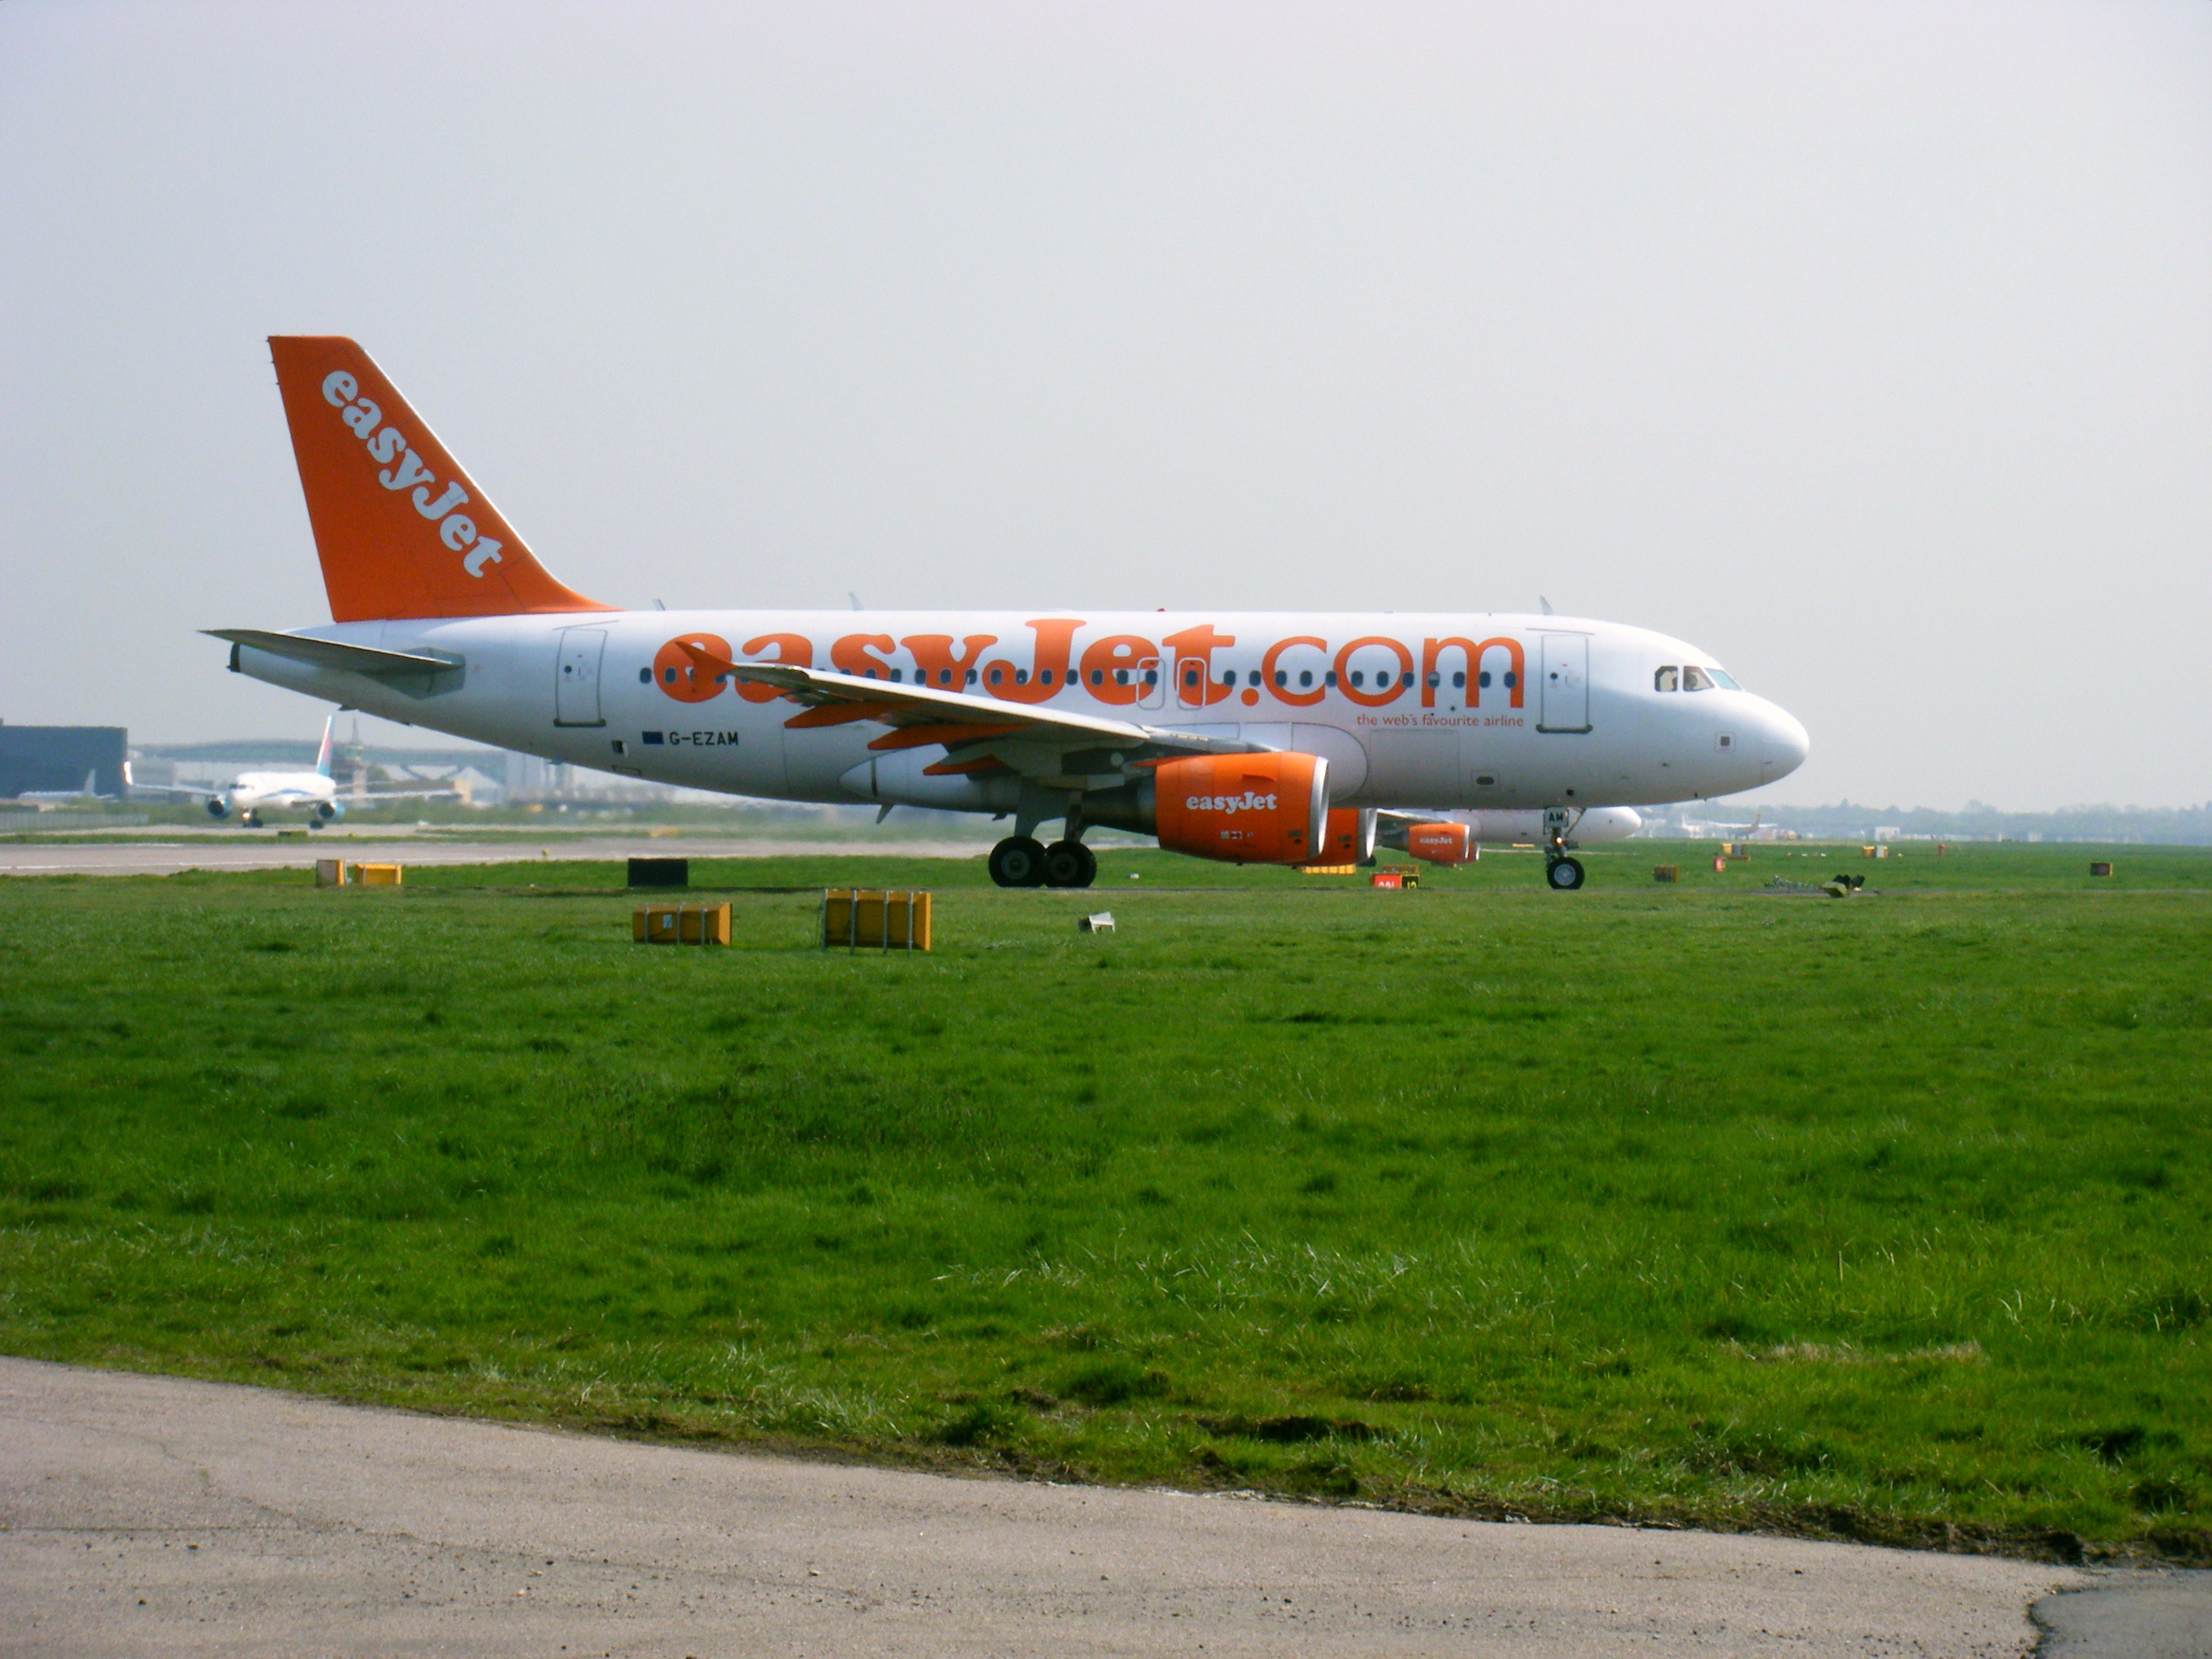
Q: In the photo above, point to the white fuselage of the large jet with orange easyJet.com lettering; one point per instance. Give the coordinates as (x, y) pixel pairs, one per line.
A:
(1572, 713)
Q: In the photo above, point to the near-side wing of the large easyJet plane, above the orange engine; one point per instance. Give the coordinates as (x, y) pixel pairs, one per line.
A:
(979, 733)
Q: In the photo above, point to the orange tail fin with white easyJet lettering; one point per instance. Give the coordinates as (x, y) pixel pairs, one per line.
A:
(401, 530)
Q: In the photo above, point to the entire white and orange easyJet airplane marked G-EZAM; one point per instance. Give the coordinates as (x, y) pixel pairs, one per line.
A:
(1246, 738)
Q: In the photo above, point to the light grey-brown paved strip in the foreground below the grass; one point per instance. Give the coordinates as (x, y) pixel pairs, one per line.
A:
(154, 1516)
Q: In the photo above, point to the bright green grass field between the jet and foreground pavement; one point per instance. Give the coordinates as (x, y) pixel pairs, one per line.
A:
(1881, 1218)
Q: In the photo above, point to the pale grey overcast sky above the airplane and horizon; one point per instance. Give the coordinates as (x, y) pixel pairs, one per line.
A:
(1868, 346)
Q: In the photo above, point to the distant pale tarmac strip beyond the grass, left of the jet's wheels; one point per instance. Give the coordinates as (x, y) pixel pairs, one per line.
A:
(236, 851)
